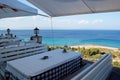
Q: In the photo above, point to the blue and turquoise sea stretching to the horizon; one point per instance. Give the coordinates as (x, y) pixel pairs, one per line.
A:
(74, 37)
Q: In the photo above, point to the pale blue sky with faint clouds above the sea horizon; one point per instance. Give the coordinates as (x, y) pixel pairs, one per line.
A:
(97, 21)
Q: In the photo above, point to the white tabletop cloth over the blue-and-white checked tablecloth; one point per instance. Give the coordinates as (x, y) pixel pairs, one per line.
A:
(36, 64)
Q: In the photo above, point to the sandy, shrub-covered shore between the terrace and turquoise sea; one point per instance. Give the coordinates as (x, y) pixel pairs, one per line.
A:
(93, 54)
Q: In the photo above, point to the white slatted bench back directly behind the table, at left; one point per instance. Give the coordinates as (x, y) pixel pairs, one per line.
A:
(22, 51)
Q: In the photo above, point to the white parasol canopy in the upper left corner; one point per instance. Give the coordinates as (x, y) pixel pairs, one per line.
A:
(14, 8)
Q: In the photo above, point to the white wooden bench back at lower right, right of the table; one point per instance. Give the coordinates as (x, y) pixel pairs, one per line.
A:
(98, 70)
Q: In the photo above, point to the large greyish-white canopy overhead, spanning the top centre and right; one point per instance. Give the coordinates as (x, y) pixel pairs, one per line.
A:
(56, 8)
